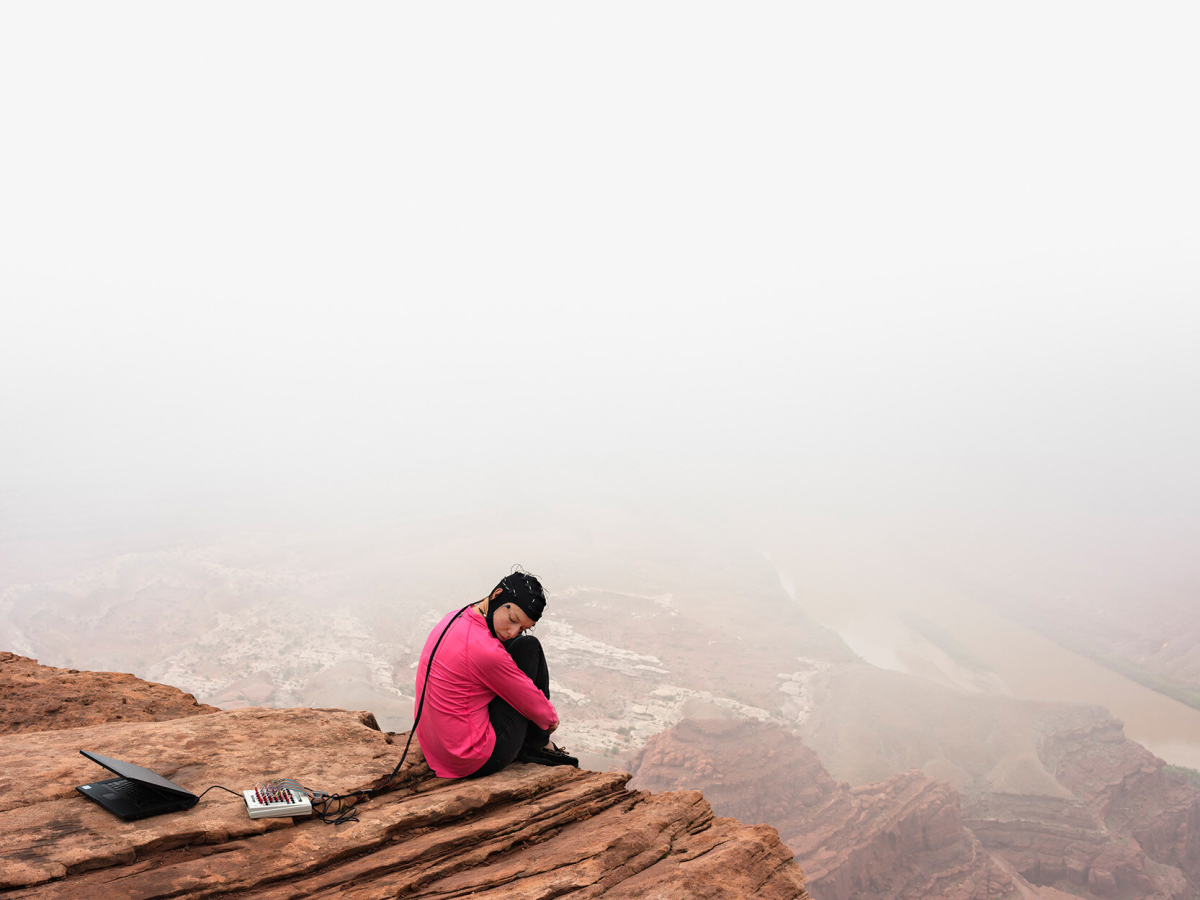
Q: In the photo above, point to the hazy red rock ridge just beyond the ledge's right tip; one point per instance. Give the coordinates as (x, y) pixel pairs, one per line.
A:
(903, 838)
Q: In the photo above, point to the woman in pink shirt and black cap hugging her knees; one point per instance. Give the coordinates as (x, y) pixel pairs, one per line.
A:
(485, 703)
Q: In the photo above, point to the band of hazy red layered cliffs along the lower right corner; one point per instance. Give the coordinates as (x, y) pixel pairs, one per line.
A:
(1117, 827)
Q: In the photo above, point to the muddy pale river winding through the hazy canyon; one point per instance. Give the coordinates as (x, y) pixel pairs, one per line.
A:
(877, 627)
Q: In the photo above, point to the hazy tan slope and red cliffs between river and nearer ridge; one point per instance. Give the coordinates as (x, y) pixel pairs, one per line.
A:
(1055, 790)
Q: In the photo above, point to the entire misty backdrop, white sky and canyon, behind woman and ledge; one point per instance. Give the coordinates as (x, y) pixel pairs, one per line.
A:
(835, 368)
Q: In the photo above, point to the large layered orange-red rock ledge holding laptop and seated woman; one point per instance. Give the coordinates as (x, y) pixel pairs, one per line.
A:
(529, 832)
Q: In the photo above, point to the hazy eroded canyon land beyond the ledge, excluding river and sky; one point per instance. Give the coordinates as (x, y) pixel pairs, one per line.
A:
(689, 665)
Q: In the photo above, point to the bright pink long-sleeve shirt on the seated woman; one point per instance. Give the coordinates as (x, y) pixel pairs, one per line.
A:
(470, 669)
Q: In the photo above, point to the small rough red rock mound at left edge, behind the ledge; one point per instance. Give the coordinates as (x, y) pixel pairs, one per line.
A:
(37, 698)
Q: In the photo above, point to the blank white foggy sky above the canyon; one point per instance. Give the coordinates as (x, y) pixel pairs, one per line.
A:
(926, 271)
